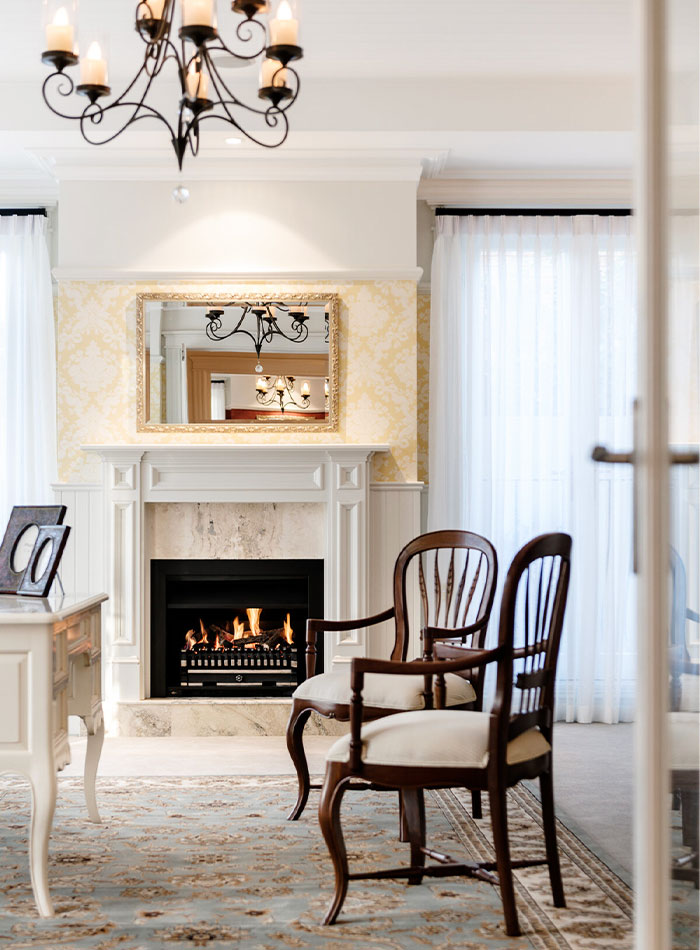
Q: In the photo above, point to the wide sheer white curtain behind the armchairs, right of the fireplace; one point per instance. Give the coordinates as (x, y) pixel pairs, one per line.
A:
(533, 345)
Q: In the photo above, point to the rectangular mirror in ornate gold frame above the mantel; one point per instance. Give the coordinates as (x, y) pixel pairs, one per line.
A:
(208, 362)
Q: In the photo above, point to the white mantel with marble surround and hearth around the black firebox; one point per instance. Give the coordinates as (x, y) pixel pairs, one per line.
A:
(229, 501)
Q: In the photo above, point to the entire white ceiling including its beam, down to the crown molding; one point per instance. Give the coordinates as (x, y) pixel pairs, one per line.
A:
(471, 87)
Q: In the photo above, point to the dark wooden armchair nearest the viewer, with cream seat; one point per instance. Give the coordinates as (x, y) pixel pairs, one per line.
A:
(444, 748)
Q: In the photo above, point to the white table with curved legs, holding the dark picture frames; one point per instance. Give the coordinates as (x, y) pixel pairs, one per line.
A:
(49, 669)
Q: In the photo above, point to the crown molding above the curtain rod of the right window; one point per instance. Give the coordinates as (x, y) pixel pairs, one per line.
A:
(524, 192)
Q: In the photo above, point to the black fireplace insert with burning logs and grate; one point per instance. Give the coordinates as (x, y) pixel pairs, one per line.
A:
(232, 627)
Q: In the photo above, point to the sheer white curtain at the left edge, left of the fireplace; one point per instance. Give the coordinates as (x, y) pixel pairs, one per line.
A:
(27, 365)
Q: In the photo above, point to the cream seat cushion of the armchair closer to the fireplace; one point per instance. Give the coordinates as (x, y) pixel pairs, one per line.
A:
(382, 690)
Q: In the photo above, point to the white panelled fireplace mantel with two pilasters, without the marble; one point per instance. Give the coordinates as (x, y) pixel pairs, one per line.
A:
(337, 475)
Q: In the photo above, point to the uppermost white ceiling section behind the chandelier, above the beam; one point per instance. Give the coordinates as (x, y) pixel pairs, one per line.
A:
(394, 38)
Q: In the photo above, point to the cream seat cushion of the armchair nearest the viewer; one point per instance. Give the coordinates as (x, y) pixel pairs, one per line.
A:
(435, 738)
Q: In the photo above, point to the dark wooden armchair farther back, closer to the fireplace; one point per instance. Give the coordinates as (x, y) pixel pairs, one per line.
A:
(456, 608)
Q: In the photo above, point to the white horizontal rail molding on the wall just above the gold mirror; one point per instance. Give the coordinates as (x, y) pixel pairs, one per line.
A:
(351, 275)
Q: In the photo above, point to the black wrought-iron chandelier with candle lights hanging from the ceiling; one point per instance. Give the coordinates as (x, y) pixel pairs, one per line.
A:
(193, 50)
